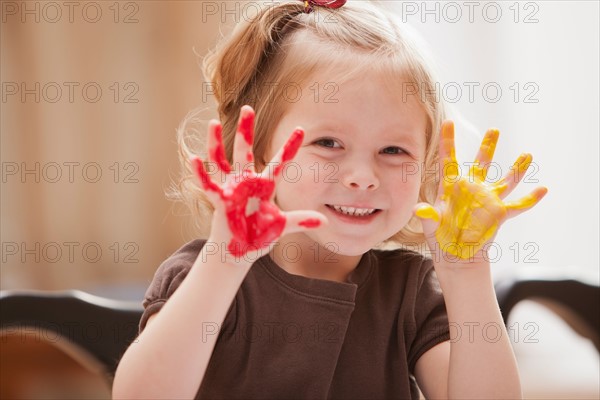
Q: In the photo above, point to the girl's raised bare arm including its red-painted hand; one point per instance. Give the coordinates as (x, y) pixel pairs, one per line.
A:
(170, 356)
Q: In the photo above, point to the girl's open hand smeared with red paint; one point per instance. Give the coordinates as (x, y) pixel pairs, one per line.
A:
(246, 223)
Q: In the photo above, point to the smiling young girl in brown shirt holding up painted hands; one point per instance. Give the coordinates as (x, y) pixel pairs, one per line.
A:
(289, 297)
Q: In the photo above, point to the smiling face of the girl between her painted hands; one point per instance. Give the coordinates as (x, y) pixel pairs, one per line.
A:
(364, 148)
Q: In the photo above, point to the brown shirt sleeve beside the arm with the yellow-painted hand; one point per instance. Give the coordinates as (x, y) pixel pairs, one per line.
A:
(430, 317)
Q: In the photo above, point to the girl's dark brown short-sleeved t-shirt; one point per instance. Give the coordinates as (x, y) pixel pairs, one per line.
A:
(291, 337)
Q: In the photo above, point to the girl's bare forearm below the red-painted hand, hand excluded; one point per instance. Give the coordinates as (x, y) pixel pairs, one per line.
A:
(169, 358)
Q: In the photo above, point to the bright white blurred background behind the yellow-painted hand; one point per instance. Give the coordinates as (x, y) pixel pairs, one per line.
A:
(530, 69)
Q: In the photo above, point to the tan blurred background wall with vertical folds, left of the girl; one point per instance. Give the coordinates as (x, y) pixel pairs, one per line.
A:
(92, 93)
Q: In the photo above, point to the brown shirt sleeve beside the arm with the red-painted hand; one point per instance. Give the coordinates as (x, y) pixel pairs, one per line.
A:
(167, 279)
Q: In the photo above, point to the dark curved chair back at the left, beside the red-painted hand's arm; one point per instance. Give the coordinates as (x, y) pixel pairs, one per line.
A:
(99, 327)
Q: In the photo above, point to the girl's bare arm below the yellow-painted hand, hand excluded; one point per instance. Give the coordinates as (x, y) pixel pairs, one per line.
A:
(478, 361)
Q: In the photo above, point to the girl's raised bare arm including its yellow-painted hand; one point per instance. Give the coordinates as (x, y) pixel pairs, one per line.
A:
(478, 361)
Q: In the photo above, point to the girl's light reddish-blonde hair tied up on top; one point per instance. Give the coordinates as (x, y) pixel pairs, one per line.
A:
(283, 45)
